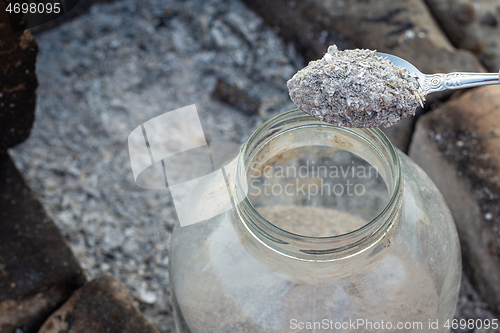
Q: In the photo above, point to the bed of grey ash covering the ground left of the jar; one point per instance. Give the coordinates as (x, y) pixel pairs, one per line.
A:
(107, 72)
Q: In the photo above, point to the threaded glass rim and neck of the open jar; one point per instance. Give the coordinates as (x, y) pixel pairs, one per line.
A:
(372, 140)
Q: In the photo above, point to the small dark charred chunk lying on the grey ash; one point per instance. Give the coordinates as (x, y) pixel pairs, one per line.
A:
(234, 96)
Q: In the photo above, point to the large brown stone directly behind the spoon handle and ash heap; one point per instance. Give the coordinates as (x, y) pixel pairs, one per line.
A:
(403, 28)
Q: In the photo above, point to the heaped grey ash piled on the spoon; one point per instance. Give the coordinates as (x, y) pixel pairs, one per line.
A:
(355, 88)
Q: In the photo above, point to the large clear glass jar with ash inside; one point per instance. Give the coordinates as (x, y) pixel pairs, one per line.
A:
(379, 254)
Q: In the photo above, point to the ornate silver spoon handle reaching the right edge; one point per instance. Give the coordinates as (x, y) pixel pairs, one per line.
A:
(438, 82)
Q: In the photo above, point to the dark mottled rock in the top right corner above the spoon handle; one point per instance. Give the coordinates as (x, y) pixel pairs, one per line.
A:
(471, 25)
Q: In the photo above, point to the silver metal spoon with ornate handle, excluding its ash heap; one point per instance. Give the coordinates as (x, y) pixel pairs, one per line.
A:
(437, 82)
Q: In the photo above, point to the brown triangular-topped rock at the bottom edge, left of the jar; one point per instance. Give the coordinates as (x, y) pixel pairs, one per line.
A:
(104, 305)
